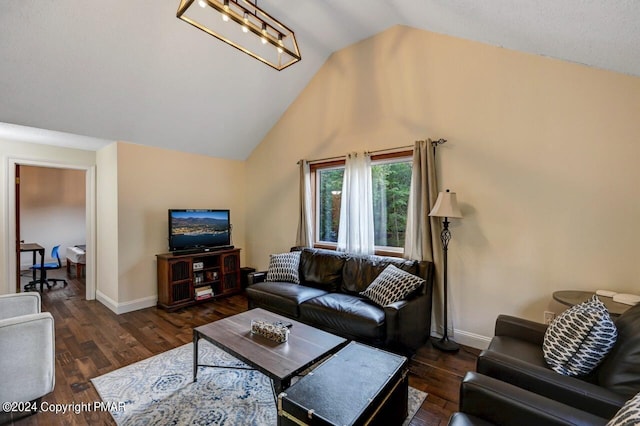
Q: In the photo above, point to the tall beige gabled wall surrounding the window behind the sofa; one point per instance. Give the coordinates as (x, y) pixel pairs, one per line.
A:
(542, 153)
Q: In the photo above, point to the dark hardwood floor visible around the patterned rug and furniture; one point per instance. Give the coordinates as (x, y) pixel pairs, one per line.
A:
(91, 341)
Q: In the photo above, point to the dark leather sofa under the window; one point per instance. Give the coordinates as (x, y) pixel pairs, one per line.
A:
(327, 298)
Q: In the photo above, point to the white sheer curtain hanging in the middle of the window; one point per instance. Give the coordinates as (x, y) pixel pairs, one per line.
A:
(355, 232)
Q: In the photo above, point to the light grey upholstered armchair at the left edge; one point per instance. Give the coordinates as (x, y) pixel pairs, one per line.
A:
(27, 348)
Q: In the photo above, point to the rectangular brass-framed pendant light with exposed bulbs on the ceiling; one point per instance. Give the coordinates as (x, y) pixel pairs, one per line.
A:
(244, 26)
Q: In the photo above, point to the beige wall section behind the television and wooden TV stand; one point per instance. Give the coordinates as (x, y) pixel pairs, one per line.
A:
(151, 181)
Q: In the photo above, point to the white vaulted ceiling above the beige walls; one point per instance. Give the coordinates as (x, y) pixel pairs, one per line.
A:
(129, 70)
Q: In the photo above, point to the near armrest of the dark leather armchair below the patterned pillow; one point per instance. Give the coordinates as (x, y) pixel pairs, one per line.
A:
(546, 382)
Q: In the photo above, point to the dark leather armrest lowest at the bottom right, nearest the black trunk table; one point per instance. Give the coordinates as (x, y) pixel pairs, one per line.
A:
(504, 404)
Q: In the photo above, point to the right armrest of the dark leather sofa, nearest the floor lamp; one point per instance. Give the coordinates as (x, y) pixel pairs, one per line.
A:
(408, 322)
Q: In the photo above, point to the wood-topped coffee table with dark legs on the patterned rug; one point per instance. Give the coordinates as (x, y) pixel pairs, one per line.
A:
(279, 361)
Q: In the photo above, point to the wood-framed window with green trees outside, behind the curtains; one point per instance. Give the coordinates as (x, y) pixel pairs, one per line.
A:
(391, 180)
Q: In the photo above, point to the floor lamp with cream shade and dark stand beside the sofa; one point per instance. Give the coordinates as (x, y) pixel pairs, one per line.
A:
(447, 207)
